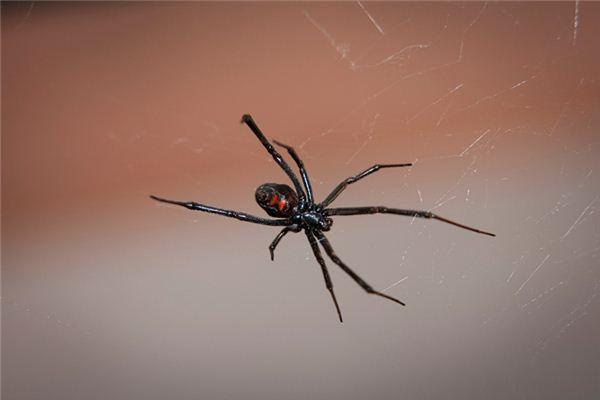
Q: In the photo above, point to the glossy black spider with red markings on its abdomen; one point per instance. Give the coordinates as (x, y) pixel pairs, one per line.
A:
(297, 211)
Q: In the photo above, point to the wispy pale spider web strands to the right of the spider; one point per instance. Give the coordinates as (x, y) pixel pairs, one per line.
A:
(531, 144)
